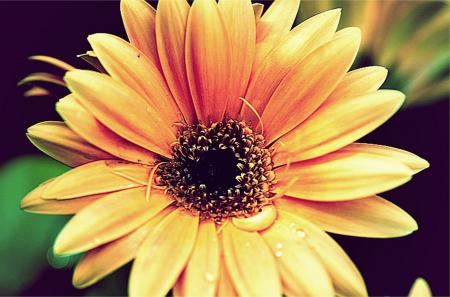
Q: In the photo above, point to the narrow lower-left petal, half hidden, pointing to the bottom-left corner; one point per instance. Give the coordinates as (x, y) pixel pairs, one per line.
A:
(101, 261)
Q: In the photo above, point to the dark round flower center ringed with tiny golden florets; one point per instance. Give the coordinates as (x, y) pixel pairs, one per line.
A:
(219, 171)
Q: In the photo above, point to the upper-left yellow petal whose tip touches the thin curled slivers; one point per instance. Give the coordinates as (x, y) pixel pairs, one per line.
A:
(122, 110)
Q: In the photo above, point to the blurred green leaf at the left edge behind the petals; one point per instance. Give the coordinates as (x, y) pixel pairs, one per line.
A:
(24, 238)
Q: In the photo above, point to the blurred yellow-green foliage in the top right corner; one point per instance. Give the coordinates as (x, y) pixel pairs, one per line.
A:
(410, 38)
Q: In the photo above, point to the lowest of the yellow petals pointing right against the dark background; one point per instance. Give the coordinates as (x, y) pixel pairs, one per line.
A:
(366, 217)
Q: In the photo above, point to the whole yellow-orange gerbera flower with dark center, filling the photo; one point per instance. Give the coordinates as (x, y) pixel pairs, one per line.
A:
(217, 149)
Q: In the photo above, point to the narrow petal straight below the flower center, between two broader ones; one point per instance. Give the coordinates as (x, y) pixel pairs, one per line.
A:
(201, 275)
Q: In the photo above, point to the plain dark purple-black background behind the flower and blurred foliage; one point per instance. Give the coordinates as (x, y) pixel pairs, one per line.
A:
(389, 266)
